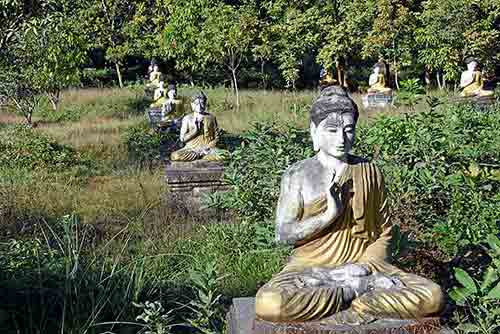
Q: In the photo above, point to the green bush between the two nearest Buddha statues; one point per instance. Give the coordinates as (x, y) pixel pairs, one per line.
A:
(255, 169)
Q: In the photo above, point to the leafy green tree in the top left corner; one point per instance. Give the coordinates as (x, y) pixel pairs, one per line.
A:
(43, 56)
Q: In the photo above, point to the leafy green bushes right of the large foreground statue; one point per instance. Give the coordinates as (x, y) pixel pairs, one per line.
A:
(444, 165)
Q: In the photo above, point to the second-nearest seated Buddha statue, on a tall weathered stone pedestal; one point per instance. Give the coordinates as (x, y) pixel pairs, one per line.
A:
(199, 133)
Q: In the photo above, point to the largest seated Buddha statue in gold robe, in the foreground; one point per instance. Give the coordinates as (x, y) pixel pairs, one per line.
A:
(333, 210)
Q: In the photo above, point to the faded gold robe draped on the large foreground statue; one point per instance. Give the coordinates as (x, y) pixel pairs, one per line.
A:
(362, 234)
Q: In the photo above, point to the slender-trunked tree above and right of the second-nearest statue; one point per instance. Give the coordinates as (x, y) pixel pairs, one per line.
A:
(229, 33)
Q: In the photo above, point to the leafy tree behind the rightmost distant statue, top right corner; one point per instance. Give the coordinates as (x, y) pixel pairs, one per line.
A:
(451, 30)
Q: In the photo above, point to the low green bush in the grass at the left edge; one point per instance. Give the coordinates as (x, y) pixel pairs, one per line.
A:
(24, 148)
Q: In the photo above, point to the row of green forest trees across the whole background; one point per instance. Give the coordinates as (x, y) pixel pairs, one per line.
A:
(49, 45)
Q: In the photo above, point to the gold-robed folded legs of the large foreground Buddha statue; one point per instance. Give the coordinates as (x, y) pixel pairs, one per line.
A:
(283, 300)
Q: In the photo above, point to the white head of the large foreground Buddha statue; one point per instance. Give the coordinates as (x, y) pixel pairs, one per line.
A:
(333, 119)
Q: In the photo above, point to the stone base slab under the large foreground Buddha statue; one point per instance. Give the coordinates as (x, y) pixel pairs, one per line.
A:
(241, 320)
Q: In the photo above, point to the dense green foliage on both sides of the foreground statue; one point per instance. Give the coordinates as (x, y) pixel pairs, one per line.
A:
(442, 166)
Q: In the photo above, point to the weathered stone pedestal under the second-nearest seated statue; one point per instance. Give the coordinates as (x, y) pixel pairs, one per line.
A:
(188, 182)
